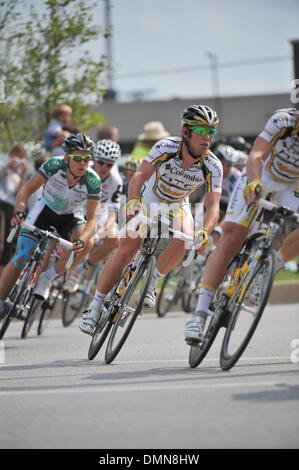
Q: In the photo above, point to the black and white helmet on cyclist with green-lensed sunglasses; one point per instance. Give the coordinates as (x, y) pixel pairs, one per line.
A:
(199, 115)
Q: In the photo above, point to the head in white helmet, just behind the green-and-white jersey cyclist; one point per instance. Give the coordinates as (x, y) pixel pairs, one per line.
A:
(105, 154)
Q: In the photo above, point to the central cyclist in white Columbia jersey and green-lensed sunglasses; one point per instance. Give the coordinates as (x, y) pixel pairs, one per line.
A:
(174, 168)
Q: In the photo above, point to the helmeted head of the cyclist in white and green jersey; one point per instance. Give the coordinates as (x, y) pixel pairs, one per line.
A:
(78, 153)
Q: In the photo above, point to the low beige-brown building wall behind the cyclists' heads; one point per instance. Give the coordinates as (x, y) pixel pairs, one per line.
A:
(241, 115)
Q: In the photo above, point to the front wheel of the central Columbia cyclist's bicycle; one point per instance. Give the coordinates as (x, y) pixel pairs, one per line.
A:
(130, 307)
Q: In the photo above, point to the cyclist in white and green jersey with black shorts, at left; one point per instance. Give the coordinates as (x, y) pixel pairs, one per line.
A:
(69, 186)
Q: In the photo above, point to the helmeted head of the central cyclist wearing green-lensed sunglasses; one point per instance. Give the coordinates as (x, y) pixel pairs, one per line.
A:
(202, 121)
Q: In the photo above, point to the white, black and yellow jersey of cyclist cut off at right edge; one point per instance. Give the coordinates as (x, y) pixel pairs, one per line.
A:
(282, 131)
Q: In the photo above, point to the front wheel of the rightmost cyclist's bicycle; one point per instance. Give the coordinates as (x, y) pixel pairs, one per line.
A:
(247, 311)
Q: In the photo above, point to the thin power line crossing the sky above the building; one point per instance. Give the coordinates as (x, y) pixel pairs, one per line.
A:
(241, 63)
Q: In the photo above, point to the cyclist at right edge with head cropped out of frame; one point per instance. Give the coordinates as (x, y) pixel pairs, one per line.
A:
(273, 169)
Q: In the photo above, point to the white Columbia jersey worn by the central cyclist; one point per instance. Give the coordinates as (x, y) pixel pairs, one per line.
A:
(170, 182)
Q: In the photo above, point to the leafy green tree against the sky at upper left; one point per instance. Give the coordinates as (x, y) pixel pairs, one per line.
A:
(52, 65)
